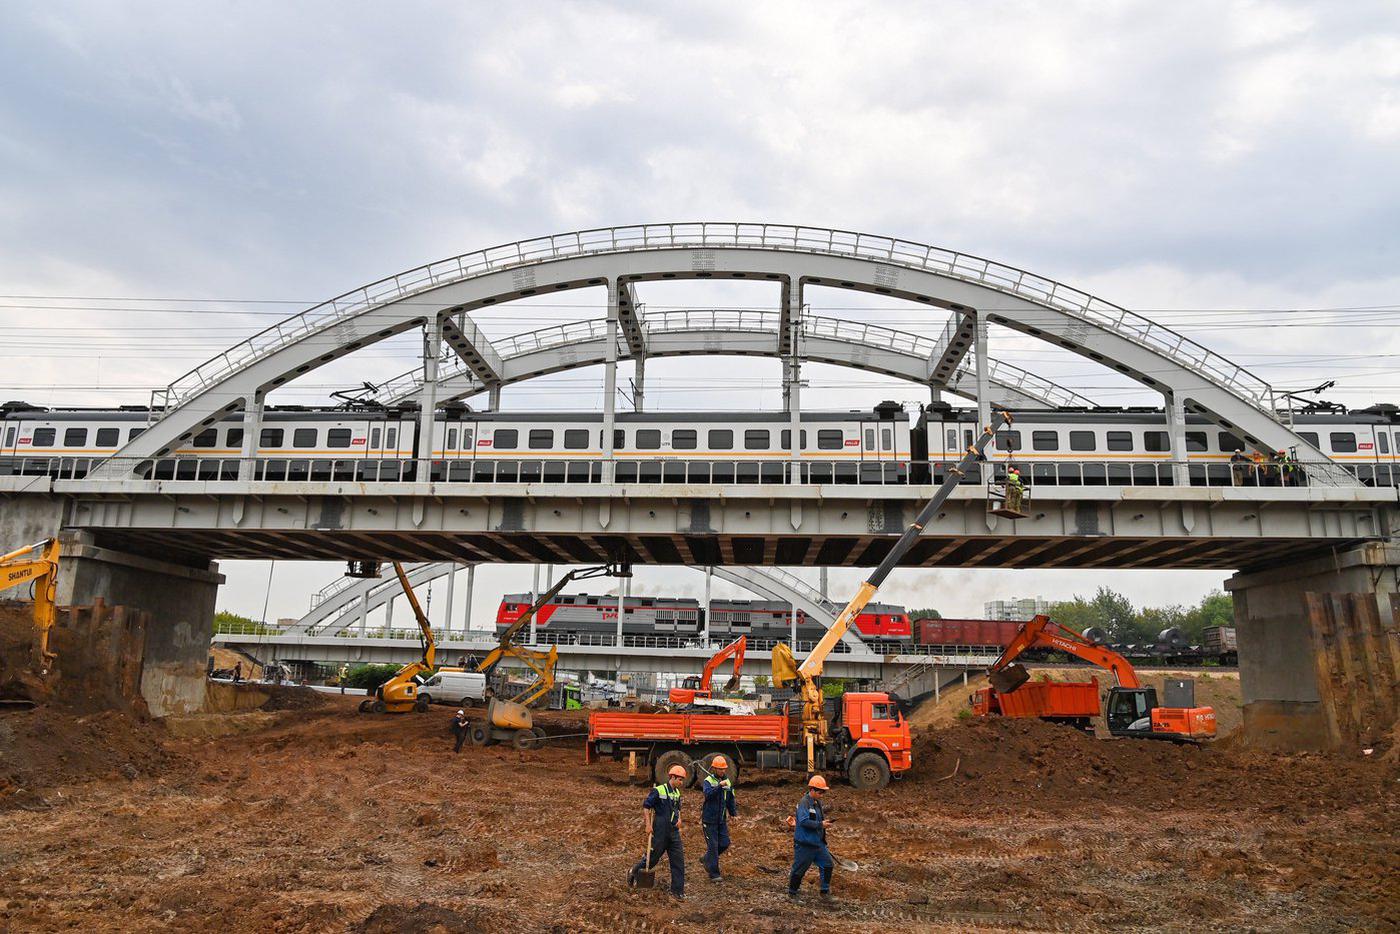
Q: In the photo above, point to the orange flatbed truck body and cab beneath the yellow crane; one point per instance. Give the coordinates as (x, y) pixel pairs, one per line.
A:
(869, 741)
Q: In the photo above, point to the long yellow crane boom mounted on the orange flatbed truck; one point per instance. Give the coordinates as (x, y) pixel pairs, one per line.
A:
(786, 670)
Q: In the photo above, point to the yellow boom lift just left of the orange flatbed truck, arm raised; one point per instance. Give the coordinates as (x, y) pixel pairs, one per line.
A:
(510, 720)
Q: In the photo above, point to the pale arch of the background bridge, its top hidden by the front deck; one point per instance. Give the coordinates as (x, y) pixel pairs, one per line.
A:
(381, 590)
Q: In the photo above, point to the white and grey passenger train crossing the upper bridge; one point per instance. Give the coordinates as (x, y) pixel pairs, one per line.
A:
(1079, 446)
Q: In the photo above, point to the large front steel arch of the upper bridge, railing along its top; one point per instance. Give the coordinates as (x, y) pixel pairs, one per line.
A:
(1007, 296)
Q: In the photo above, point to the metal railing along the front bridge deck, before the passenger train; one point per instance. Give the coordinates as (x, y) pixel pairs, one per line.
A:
(706, 473)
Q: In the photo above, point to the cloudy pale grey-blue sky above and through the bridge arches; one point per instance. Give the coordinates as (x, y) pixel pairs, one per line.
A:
(174, 177)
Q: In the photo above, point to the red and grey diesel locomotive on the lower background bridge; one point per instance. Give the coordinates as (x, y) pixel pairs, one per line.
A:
(577, 614)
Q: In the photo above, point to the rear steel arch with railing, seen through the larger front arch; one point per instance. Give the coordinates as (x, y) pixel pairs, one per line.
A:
(734, 333)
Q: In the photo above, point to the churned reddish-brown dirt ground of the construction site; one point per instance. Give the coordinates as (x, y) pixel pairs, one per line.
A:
(325, 820)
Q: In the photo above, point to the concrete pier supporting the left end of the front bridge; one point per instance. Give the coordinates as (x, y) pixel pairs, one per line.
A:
(180, 600)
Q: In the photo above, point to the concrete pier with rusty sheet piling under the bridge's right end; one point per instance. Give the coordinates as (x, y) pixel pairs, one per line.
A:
(1319, 650)
